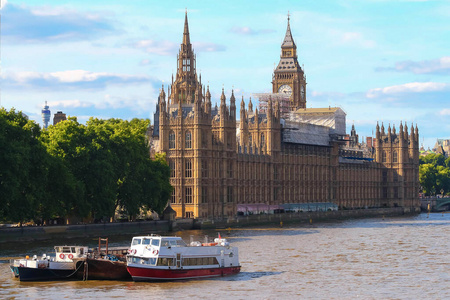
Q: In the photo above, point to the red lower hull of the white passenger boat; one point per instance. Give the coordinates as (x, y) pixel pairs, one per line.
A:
(154, 274)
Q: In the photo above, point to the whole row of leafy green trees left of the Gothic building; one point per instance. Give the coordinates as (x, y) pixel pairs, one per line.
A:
(78, 171)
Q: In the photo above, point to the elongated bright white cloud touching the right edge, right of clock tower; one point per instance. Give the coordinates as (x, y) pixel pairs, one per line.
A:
(413, 87)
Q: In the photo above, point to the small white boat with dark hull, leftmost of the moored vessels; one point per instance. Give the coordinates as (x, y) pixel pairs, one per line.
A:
(60, 267)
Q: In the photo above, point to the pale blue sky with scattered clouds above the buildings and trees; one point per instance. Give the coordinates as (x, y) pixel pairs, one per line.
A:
(385, 61)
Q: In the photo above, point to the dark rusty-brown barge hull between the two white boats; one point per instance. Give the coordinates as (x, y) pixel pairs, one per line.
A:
(101, 269)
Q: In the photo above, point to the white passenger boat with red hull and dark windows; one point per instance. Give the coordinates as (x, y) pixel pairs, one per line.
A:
(156, 257)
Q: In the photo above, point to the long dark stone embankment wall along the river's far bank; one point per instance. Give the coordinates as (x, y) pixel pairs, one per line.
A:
(31, 233)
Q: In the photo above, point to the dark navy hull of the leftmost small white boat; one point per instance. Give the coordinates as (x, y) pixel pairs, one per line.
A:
(37, 274)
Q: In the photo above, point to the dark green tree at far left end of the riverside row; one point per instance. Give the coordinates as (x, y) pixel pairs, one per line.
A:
(22, 173)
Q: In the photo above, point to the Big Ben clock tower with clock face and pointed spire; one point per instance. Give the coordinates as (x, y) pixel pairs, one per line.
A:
(289, 77)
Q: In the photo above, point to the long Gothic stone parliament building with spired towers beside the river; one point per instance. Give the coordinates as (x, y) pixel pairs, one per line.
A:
(233, 158)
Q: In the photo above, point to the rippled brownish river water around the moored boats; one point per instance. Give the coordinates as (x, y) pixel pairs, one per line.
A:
(391, 258)
